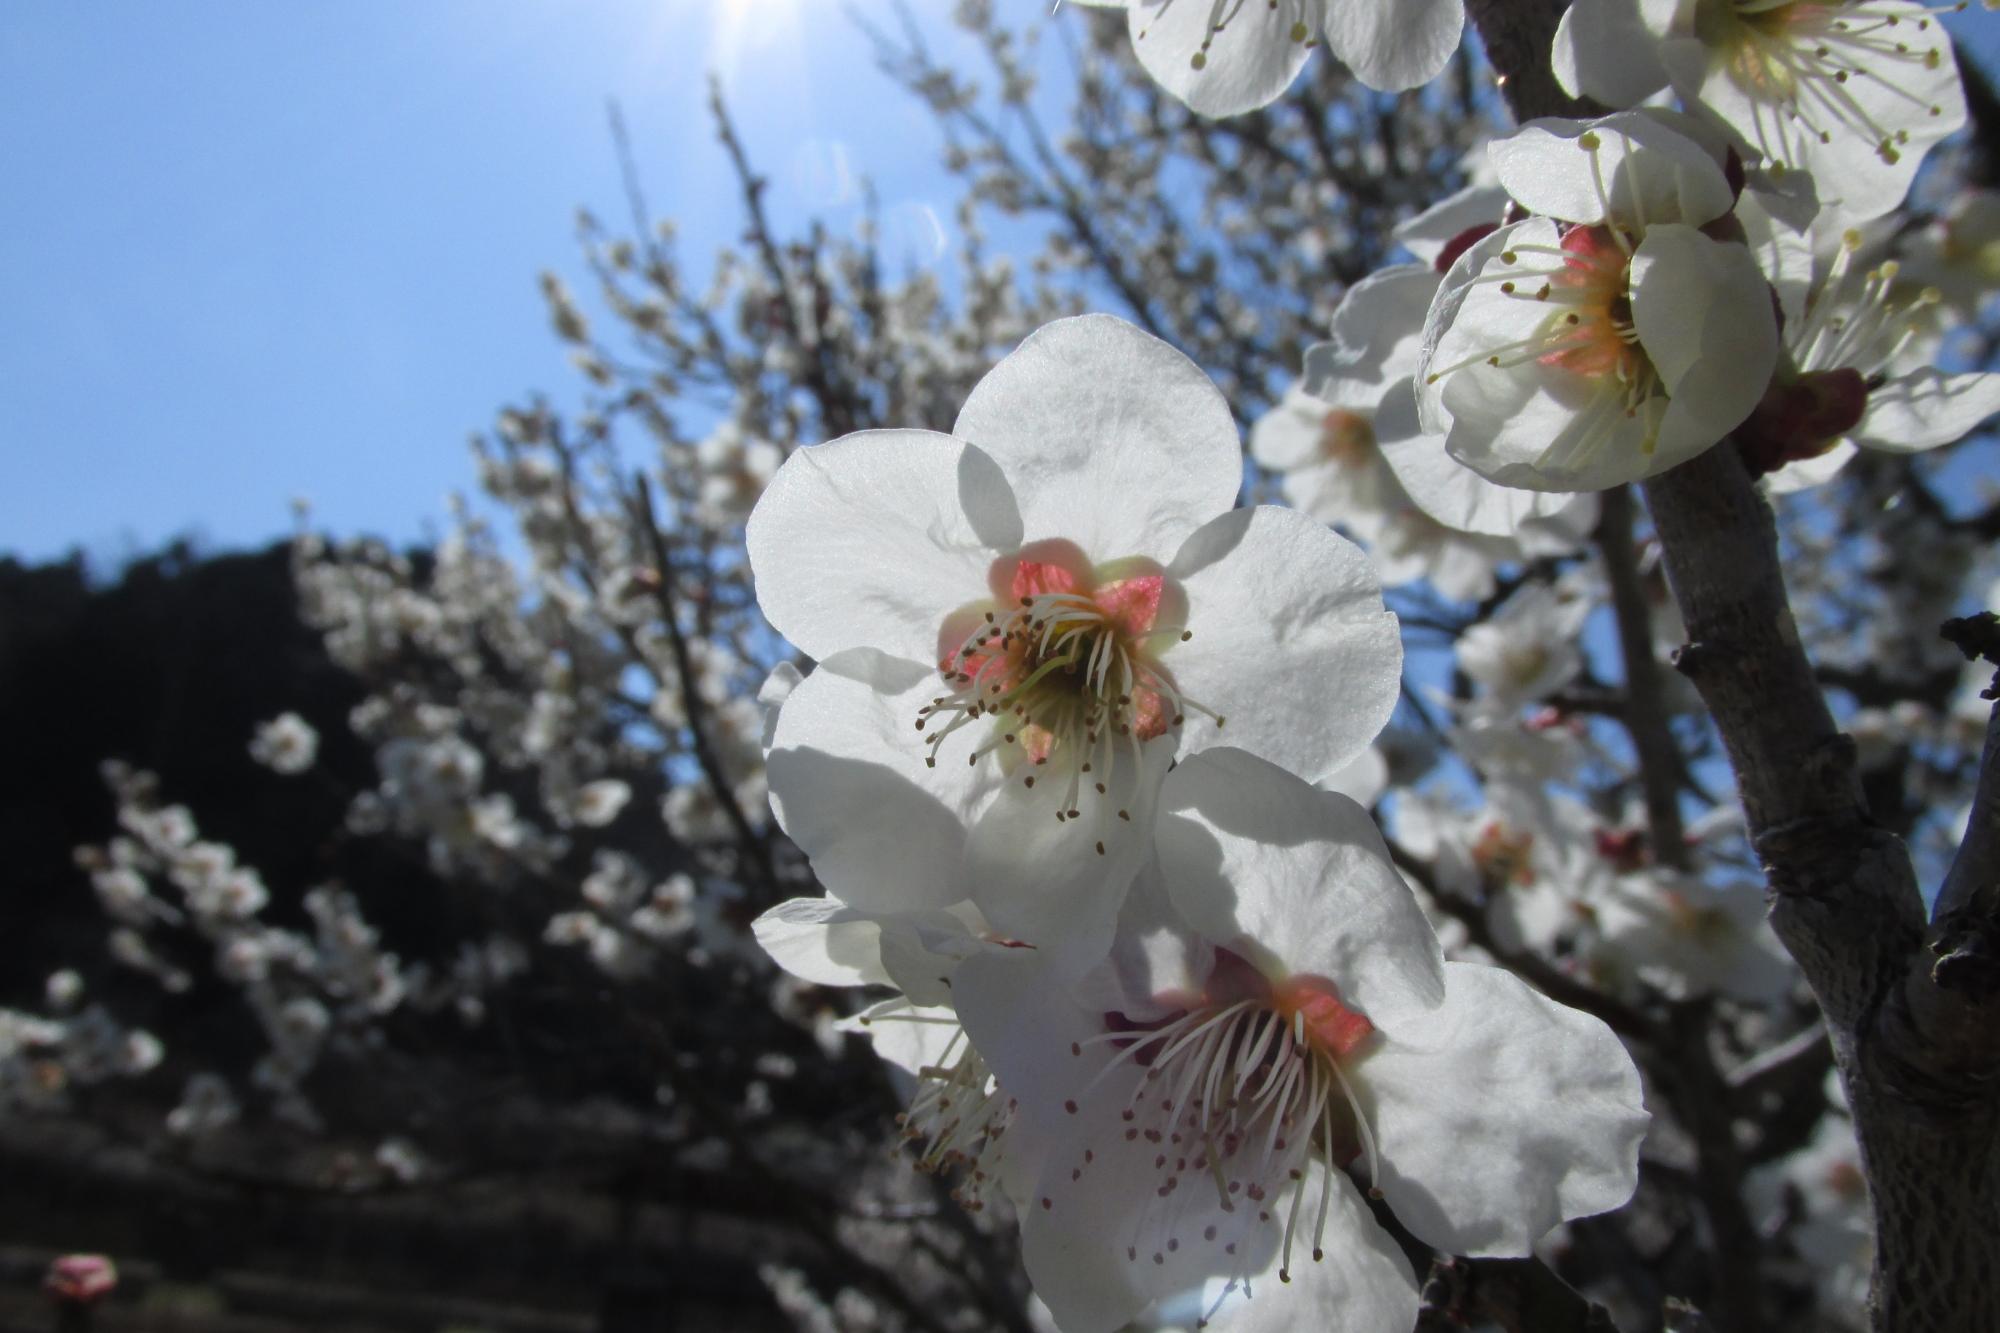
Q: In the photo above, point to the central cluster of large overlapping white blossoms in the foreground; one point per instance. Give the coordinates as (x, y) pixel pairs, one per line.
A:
(1155, 988)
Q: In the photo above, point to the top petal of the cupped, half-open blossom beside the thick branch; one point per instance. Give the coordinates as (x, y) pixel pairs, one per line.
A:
(1647, 171)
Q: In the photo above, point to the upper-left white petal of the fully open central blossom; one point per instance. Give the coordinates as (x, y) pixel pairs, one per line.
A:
(875, 537)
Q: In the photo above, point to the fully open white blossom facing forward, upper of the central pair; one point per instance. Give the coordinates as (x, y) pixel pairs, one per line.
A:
(1021, 625)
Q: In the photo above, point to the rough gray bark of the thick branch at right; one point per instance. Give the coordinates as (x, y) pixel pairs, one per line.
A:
(1913, 1006)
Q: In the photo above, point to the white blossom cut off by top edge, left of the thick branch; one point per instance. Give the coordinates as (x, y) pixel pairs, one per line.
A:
(1225, 57)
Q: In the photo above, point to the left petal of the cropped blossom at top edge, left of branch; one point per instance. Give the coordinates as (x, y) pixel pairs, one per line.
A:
(1245, 67)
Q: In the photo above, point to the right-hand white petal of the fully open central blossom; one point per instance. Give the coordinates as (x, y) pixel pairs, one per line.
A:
(1289, 641)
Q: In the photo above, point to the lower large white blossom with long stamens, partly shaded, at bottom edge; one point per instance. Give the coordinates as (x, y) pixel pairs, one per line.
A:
(1277, 1016)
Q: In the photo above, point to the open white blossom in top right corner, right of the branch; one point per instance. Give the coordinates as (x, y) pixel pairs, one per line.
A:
(1851, 91)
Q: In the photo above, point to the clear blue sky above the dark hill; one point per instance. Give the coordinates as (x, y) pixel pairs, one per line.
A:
(265, 251)
